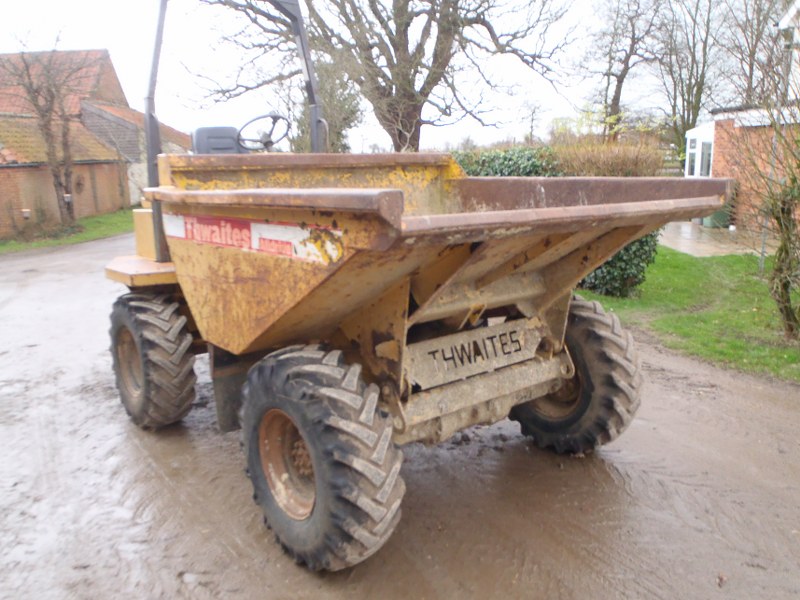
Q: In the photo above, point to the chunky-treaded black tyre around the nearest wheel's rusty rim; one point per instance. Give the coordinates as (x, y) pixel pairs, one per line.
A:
(356, 440)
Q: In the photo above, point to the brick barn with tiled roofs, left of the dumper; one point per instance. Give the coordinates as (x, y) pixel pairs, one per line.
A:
(108, 145)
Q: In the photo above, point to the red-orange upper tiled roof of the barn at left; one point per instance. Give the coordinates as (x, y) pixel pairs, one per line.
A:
(92, 76)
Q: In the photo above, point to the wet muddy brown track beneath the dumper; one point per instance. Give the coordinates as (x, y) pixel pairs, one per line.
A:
(700, 498)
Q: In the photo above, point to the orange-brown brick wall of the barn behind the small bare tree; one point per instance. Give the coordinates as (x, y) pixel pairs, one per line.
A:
(97, 188)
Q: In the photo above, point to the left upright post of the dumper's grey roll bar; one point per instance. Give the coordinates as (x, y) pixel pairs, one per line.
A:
(153, 139)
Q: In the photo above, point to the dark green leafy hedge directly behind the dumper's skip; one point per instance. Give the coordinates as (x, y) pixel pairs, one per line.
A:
(623, 272)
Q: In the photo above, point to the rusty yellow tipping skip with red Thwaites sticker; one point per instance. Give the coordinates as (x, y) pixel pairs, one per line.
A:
(374, 254)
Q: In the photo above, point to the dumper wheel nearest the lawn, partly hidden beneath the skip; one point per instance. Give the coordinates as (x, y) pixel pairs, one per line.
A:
(595, 406)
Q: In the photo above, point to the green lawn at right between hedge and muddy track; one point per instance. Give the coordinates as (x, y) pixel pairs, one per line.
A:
(717, 308)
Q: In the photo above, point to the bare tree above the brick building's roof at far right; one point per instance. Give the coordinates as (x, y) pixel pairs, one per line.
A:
(750, 43)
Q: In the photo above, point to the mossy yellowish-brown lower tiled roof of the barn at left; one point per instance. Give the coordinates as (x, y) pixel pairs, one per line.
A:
(21, 143)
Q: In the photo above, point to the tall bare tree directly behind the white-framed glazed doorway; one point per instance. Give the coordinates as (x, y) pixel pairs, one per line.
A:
(688, 56)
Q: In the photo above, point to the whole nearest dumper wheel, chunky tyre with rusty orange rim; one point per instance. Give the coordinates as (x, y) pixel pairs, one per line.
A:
(320, 456)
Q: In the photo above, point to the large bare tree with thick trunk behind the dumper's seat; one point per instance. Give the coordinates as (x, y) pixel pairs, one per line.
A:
(407, 55)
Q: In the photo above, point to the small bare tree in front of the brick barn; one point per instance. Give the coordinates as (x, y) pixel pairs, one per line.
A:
(45, 83)
